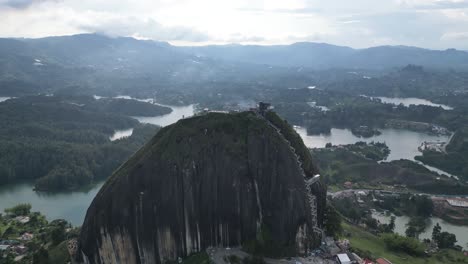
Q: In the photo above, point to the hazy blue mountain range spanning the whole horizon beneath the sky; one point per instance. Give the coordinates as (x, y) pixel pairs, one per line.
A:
(101, 51)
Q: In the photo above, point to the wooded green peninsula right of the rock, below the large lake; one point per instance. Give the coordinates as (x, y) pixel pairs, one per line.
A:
(357, 163)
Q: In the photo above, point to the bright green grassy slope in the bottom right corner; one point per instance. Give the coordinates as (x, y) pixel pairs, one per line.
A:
(366, 241)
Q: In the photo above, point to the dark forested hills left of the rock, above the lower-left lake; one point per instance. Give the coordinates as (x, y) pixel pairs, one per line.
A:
(61, 145)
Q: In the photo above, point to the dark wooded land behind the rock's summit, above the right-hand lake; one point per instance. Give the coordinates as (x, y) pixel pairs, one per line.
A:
(346, 110)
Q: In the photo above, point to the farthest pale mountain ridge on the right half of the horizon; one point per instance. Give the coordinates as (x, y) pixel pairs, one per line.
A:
(325, 56)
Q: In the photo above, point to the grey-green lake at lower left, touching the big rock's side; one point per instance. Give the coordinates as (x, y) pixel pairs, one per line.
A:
(71, 206)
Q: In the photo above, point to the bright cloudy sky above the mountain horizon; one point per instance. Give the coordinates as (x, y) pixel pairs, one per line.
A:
(437, 24)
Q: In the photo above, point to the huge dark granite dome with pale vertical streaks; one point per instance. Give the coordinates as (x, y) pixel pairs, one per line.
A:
(211, 180)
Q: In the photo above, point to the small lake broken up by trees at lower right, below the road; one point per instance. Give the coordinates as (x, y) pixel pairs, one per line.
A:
(401, 221)
